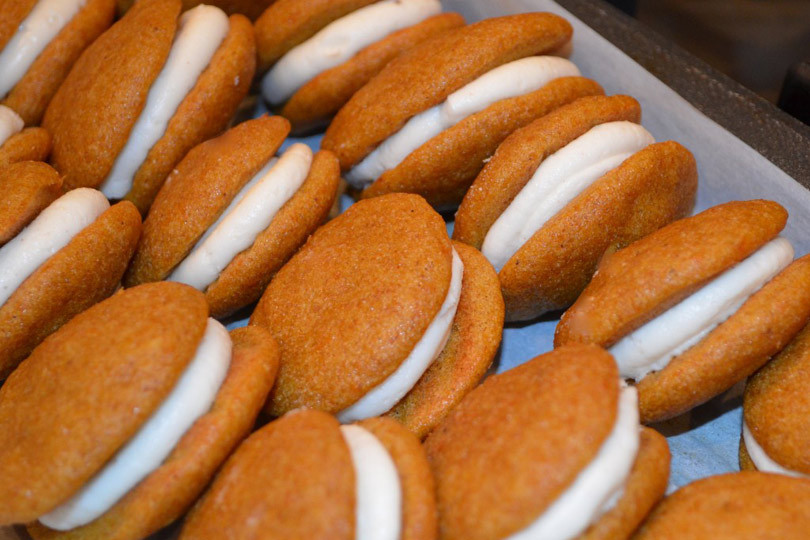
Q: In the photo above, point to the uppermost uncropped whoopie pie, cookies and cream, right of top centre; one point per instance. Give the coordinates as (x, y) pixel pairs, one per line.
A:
(428, 122)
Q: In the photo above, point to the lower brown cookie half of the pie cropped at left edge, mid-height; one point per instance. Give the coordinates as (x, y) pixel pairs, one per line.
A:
(85, 271)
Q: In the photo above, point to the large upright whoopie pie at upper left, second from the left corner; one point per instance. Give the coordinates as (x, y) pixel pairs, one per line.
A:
(136, 103)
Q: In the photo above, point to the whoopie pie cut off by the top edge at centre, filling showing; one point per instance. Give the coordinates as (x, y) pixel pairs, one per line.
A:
(317, 54)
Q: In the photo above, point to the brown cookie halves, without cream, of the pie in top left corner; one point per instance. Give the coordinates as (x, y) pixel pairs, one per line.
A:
(32, 93)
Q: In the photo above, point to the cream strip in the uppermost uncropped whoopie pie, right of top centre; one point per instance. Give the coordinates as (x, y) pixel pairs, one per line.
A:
(509, 80)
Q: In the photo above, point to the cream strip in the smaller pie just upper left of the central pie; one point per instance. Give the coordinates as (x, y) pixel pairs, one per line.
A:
(248, 214)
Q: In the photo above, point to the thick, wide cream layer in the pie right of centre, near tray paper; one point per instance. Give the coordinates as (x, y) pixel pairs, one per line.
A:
(557, 181)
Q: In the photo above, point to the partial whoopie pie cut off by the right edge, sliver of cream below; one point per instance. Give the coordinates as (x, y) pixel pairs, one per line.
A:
(776, 430)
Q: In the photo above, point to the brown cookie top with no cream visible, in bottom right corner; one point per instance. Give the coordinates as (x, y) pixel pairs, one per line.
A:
(745, 505)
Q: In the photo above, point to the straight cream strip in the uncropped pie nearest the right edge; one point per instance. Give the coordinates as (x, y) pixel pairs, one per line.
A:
(652, 346)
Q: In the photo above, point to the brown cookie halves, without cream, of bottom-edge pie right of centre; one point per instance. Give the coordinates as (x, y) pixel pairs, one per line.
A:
(543, 422)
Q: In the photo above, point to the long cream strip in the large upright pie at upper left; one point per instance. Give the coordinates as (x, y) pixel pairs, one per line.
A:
(199, 34)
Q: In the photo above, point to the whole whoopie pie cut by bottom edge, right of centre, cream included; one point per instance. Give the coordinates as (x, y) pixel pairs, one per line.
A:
(564, 456)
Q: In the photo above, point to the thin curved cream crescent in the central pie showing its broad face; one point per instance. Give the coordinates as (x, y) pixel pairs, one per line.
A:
(384, 396)
